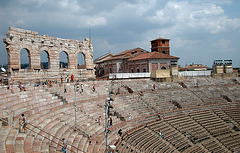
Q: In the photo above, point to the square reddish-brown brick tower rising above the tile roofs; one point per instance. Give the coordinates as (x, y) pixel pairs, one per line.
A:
(160, 45)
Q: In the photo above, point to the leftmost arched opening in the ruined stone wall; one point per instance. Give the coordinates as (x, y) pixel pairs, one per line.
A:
(24, 59)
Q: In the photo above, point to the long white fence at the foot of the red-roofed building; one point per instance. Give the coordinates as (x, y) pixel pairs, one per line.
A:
(128, 75)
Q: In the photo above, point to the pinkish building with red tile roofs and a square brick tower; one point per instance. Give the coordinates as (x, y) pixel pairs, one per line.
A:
(138, 60)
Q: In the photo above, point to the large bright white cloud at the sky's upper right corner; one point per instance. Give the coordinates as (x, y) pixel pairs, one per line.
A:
(194, 16)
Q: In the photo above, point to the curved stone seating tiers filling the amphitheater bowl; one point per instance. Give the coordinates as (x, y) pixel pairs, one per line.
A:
(53, 114)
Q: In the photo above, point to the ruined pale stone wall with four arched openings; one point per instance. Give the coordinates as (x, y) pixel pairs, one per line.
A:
(18, 39)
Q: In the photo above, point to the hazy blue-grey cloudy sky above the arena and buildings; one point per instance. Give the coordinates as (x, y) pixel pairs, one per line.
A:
(200, 30)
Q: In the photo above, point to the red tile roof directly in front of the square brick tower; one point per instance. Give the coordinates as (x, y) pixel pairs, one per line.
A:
(152, 55)
